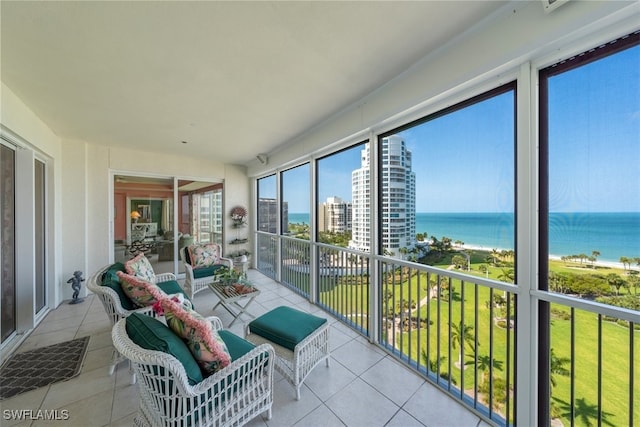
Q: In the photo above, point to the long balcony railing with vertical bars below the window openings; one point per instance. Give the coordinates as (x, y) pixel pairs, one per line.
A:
(511, 356)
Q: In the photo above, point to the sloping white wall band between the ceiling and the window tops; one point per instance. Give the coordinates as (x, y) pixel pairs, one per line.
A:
(488, 54)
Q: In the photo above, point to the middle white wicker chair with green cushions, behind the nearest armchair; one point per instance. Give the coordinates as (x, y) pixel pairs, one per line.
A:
(106, 285)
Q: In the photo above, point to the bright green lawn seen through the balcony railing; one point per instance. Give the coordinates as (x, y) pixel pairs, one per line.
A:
(352, 298)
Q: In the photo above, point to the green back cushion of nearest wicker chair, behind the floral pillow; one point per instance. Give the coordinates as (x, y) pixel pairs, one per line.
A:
(151, 334)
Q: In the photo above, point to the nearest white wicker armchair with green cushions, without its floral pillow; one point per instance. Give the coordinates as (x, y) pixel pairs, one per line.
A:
(170, 396)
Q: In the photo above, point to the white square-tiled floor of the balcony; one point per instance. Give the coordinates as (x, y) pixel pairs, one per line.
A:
(363, 386)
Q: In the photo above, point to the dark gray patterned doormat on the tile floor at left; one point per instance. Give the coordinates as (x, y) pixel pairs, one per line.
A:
(43, 366)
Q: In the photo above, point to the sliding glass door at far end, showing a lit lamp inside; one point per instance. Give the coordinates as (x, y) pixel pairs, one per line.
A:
(158, 218)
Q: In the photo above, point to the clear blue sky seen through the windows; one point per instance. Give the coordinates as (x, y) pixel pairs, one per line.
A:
(464, 161)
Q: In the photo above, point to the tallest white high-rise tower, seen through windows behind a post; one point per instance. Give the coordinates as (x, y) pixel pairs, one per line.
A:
(398, 198)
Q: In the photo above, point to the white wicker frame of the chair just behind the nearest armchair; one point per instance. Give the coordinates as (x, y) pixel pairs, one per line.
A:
(113, 307)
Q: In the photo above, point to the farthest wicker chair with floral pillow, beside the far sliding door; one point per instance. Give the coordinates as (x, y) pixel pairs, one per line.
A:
(197, 277)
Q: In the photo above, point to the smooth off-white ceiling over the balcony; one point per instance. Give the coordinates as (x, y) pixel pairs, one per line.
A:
(233, 79)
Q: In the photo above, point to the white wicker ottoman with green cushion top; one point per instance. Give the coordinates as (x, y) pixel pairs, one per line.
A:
(301, 341)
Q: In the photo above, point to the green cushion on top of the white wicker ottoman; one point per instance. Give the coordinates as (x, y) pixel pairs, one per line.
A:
(286, 326)
